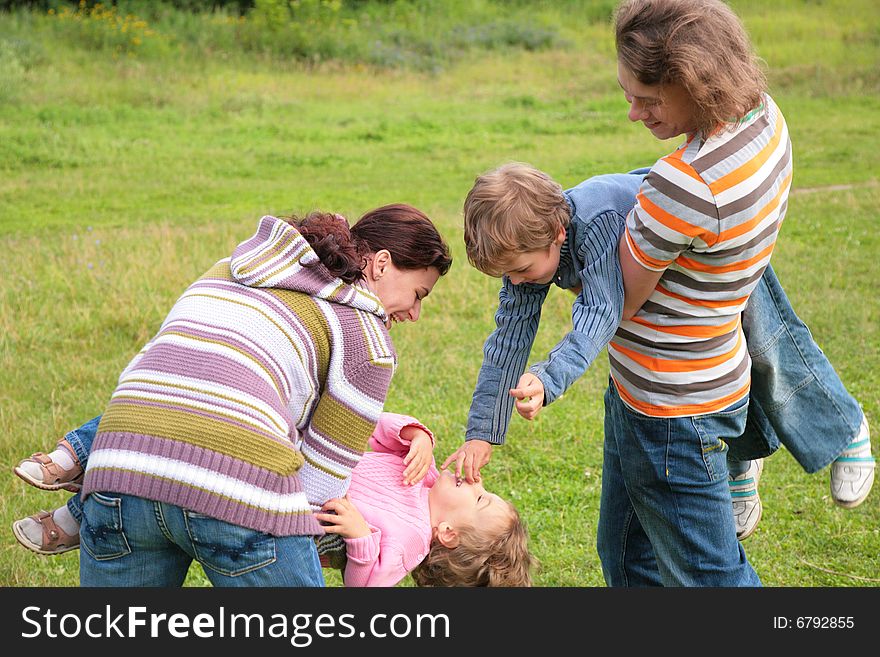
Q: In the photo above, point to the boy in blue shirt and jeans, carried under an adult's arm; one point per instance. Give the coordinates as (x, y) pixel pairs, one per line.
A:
(520, 225)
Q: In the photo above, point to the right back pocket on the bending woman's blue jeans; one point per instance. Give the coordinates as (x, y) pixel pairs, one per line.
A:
(228, 549)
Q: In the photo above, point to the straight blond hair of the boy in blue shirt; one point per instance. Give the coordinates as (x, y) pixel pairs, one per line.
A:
(511, 210)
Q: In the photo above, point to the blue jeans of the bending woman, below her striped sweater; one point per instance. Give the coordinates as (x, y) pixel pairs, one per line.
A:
(132, 541)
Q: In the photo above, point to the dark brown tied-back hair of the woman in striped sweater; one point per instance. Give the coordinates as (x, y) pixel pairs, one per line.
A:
(404, 231)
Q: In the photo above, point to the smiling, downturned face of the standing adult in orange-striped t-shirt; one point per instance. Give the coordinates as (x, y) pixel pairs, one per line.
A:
(667, 111)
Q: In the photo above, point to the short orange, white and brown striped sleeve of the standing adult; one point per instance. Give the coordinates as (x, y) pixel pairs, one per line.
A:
(674, 210)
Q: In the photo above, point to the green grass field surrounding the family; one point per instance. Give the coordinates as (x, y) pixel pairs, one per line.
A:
(126, 173)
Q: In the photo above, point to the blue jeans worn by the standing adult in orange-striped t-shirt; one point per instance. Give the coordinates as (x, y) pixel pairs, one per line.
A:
(665, 516)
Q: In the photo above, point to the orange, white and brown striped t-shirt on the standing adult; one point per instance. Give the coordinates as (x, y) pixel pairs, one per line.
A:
(708, 216)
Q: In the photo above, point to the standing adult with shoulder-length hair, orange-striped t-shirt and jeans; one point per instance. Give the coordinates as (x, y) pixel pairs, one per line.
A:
(696, 243)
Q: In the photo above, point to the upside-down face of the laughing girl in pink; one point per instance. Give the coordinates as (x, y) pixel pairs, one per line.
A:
(467, 504)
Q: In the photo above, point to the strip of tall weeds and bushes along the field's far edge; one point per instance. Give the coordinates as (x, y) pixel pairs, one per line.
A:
(414, 34)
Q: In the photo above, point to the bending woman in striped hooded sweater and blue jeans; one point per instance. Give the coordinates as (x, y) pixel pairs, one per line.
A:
(252, 404)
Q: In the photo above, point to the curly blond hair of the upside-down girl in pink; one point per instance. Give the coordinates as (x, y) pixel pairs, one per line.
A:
(481, 558)
